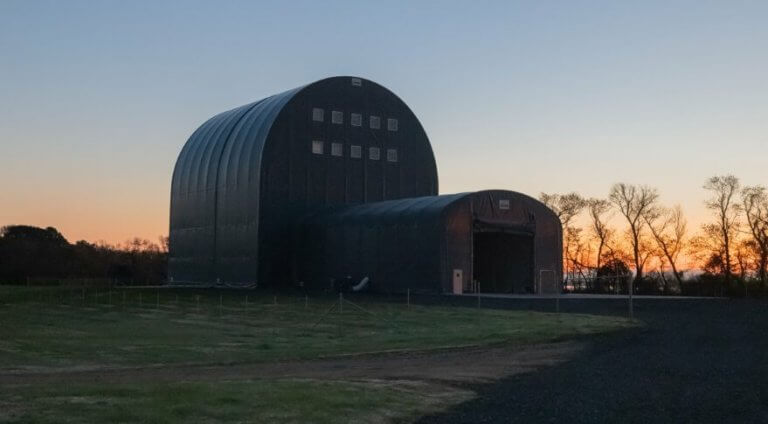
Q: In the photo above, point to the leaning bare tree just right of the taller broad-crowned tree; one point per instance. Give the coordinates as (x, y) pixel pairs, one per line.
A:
(669, 229)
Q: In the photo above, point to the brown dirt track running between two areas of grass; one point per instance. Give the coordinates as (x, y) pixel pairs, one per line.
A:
(467, 365)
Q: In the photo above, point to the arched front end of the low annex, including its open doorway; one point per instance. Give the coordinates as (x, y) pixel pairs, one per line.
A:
(502, 242)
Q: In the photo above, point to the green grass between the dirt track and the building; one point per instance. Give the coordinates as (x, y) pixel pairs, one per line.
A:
(55, 328)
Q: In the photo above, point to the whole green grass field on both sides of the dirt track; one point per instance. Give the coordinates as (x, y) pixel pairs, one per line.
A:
(65, 329)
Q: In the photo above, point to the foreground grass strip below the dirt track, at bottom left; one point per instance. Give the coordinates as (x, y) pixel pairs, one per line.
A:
(284, 401)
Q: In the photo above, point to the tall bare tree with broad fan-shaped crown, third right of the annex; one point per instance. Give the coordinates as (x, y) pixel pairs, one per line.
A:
(633, 202)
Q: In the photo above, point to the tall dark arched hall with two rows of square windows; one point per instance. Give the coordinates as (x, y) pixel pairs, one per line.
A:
(246, 175)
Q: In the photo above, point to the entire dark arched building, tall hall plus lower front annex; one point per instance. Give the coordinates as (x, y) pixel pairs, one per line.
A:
(337, 180)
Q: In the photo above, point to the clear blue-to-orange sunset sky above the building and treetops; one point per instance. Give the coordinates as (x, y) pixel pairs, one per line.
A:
(98, 97)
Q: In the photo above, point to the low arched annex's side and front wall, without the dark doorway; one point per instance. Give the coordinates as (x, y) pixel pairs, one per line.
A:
(415, 243)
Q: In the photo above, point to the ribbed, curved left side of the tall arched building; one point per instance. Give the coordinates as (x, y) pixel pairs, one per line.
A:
(206, 175)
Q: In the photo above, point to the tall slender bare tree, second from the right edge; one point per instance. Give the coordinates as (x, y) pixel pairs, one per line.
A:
(723, 204)
